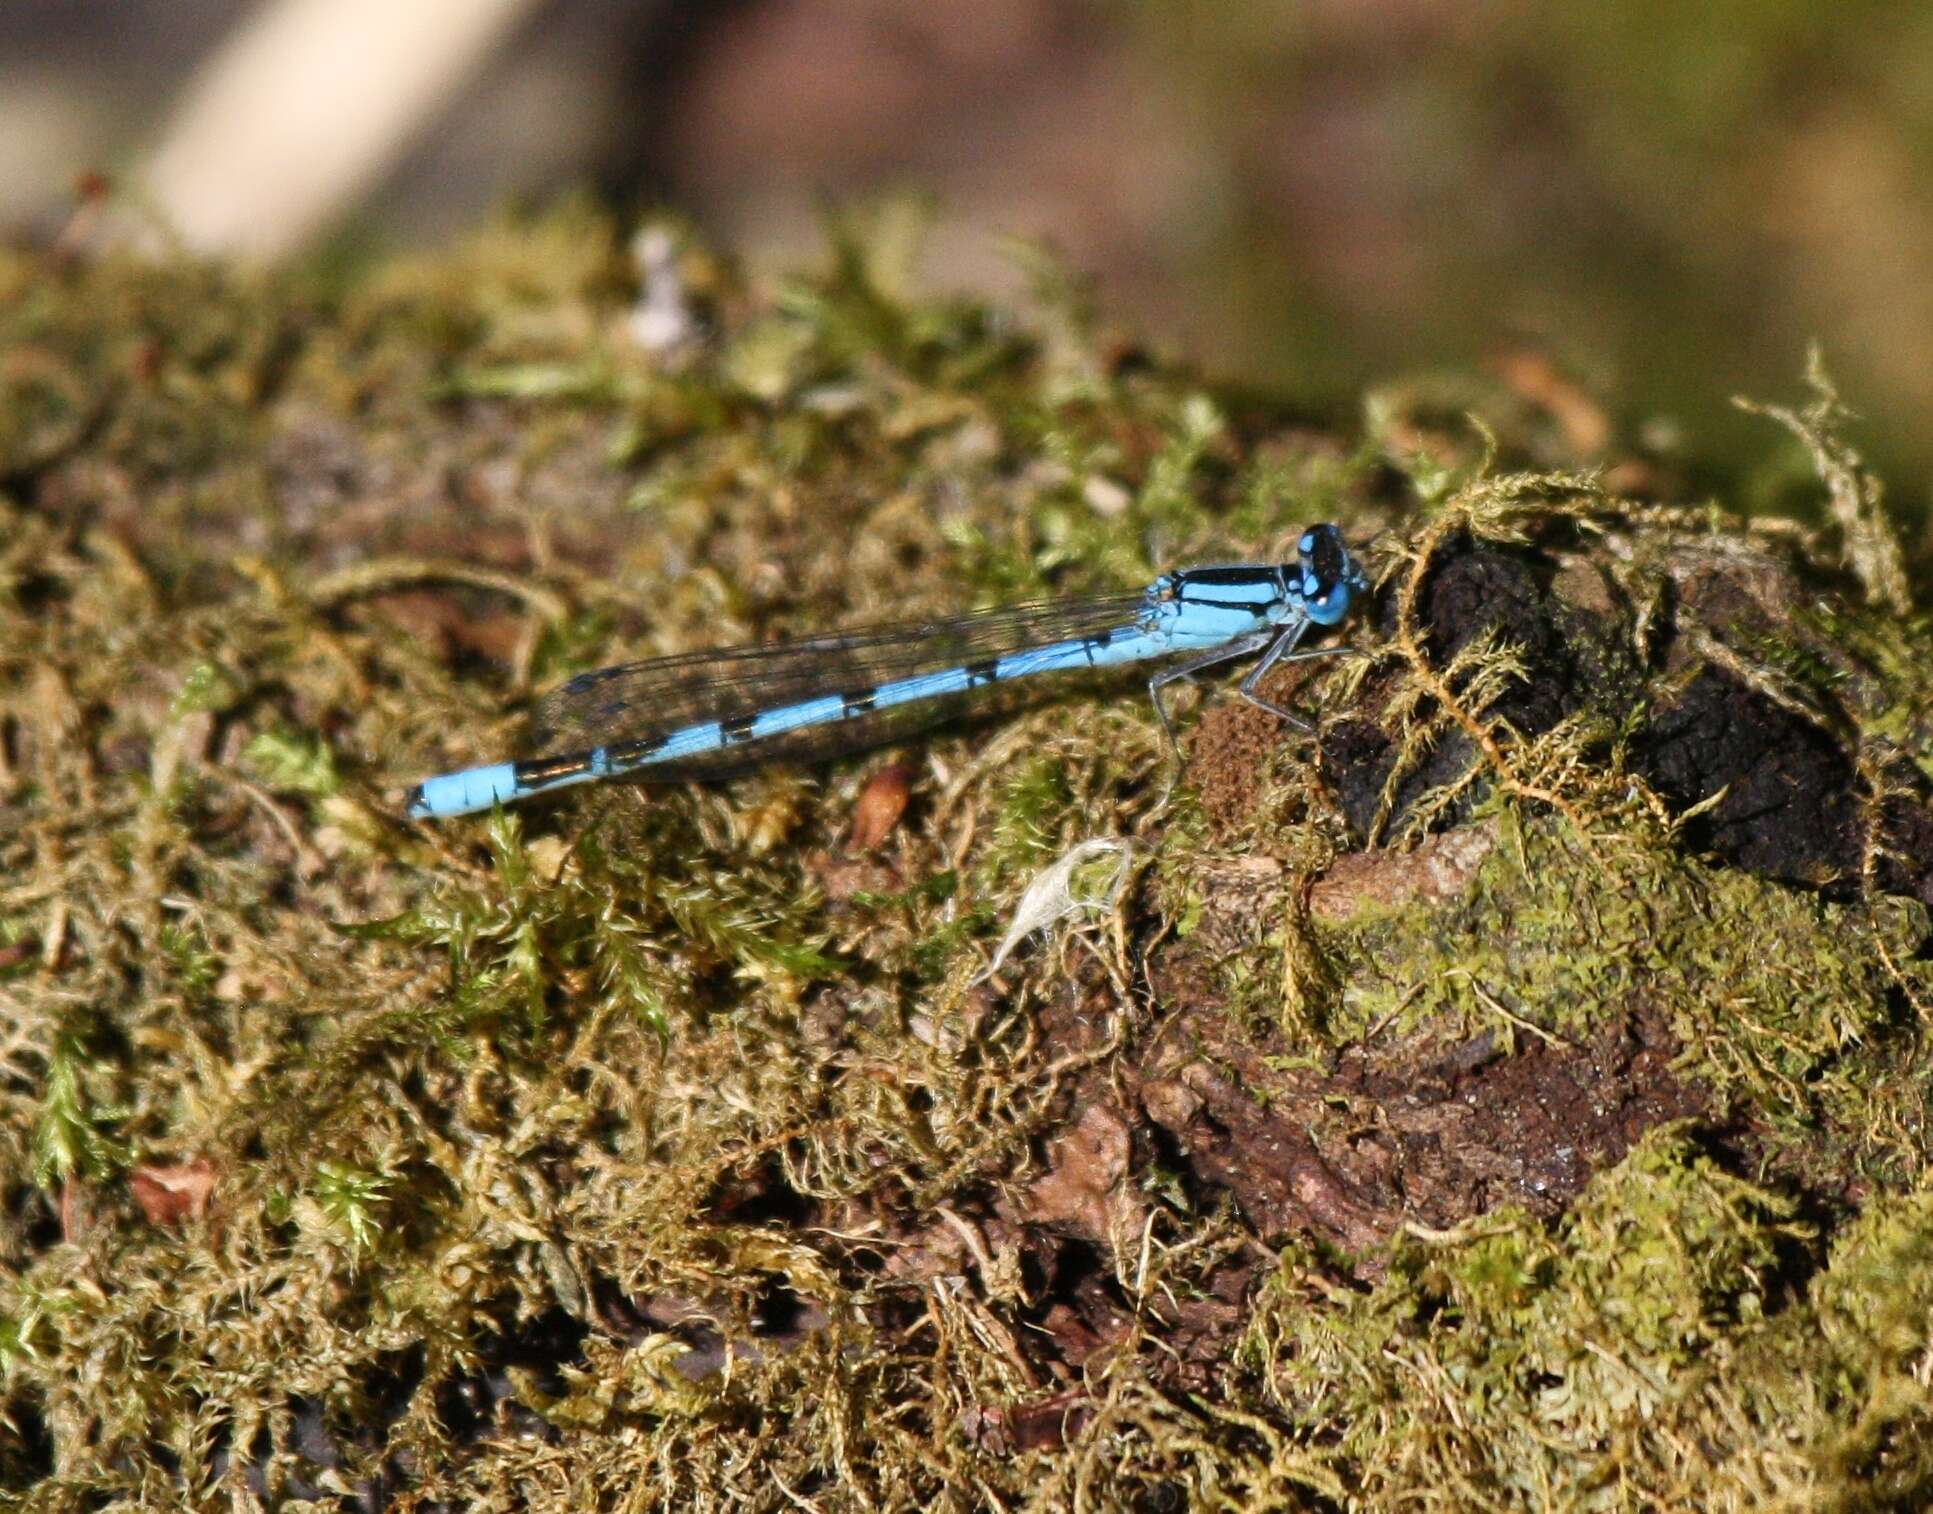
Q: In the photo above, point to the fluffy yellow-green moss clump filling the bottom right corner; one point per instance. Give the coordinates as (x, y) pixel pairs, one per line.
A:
(1650, 1353)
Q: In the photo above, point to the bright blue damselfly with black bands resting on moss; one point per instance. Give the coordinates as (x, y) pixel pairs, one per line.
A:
(716, 713)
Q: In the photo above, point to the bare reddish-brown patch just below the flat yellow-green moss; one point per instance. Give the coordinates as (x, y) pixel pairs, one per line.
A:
(1418, 1132)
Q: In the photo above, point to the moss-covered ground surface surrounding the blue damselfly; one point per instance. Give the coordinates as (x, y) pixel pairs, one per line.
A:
(660, 1148)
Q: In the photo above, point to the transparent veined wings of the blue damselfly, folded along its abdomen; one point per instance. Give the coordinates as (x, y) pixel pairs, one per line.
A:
(650, 699)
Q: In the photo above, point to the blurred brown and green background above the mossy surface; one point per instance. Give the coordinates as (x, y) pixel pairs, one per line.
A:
(1663, 200)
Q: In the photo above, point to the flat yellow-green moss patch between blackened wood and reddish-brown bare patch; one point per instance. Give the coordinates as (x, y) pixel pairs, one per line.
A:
(1770, 989)
